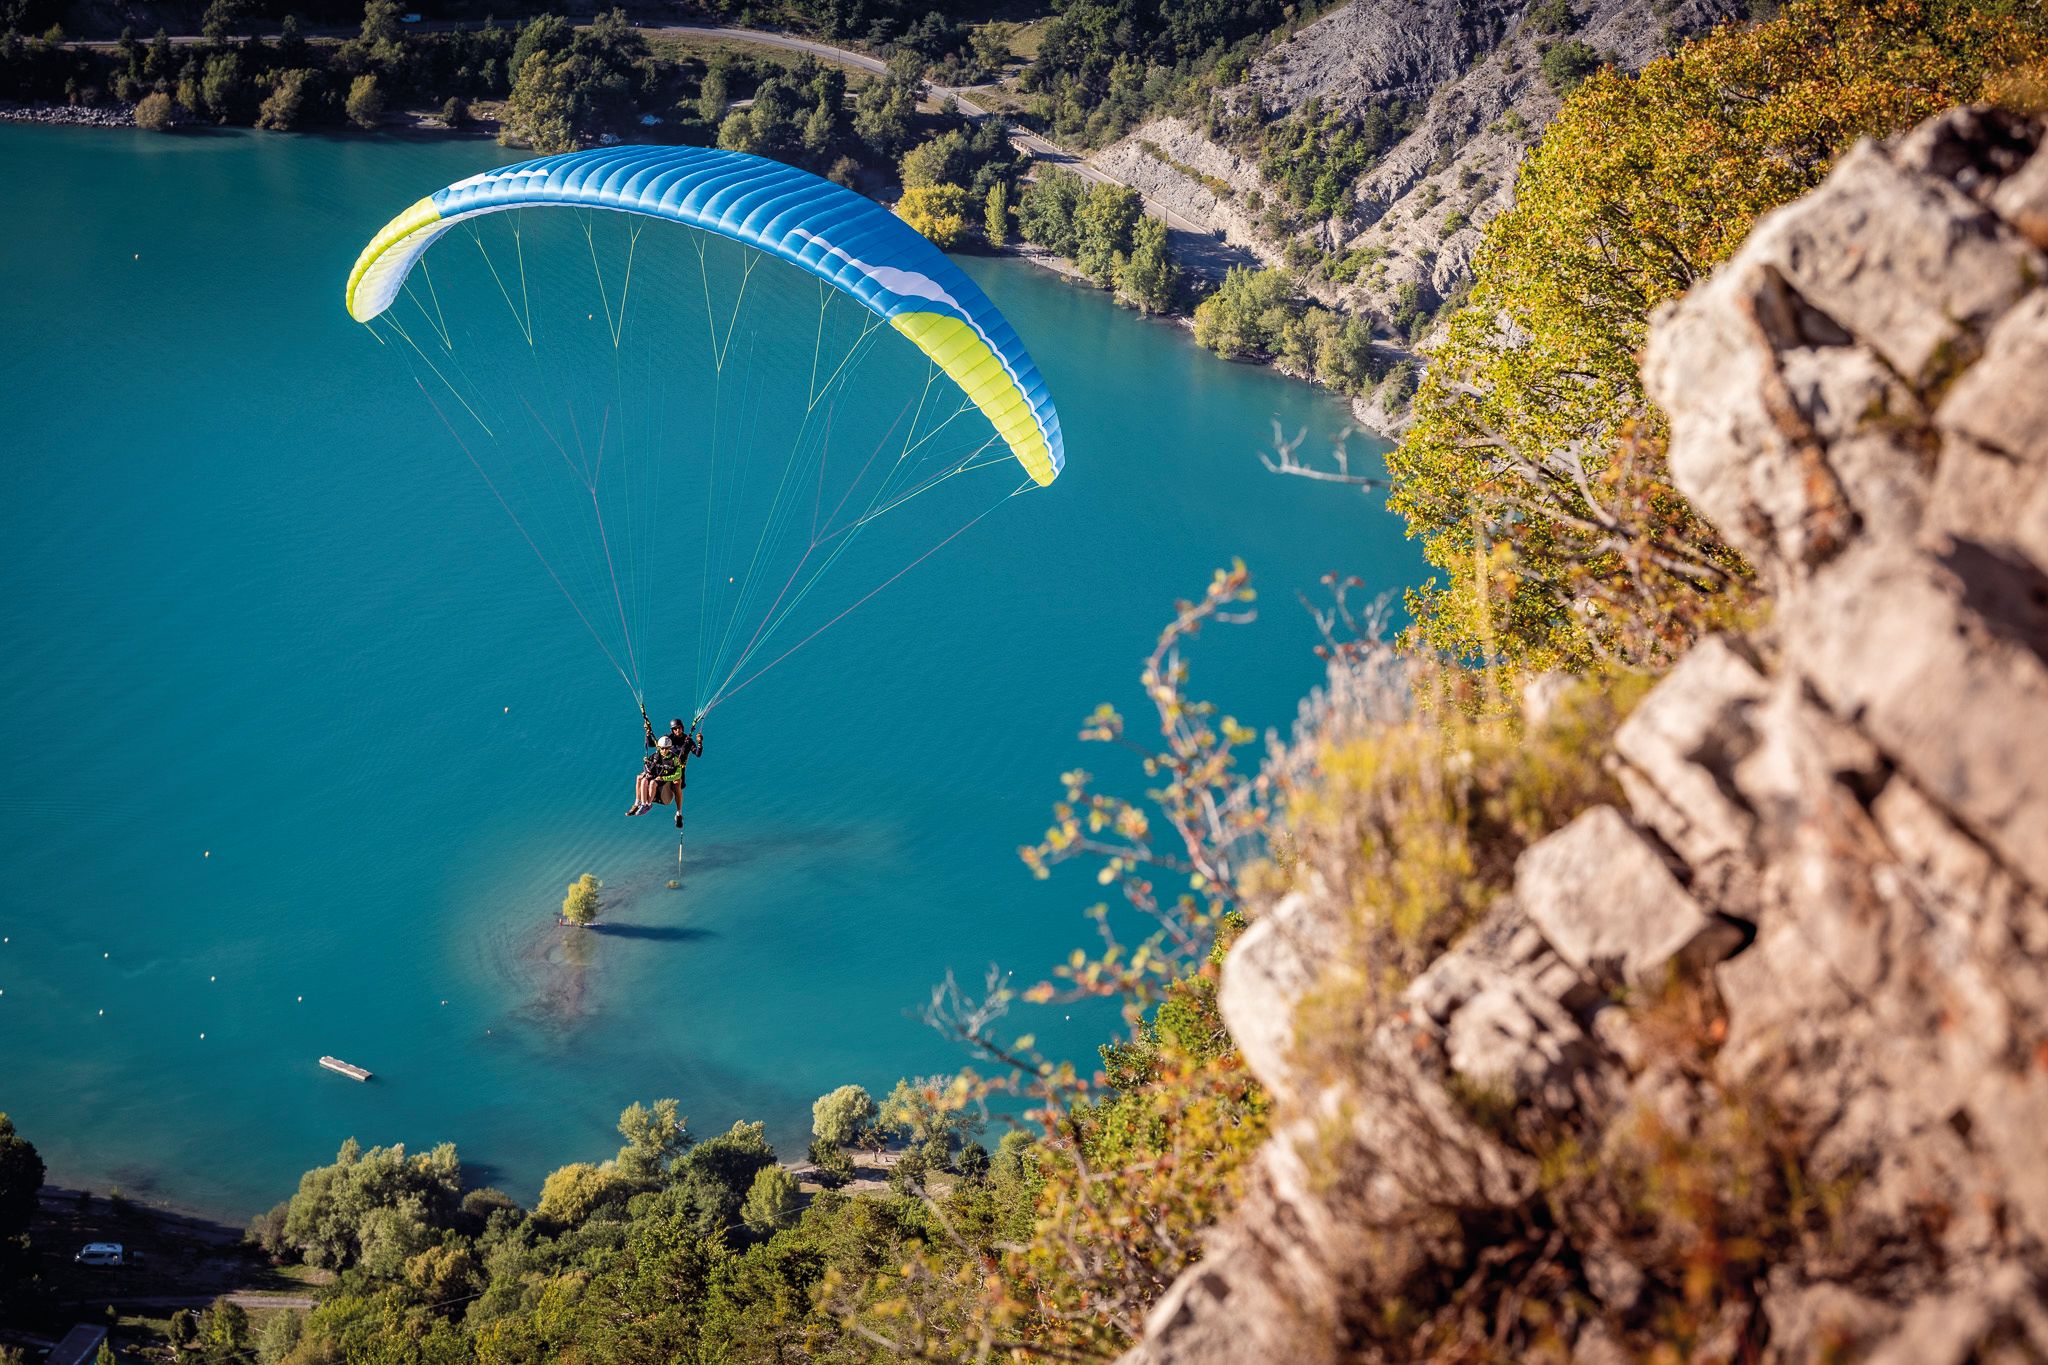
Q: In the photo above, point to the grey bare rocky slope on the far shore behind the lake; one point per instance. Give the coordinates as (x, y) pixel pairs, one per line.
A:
(1474, 71)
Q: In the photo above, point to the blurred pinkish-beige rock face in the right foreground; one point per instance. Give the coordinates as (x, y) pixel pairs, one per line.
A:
(1838, 820)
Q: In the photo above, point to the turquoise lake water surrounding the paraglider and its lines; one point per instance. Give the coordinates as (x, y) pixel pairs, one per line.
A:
(298, 744)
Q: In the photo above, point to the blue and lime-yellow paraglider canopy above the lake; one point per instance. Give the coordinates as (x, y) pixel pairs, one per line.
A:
(851, 243)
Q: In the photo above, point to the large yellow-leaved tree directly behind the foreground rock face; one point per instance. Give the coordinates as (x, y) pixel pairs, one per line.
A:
(1535, 472)
